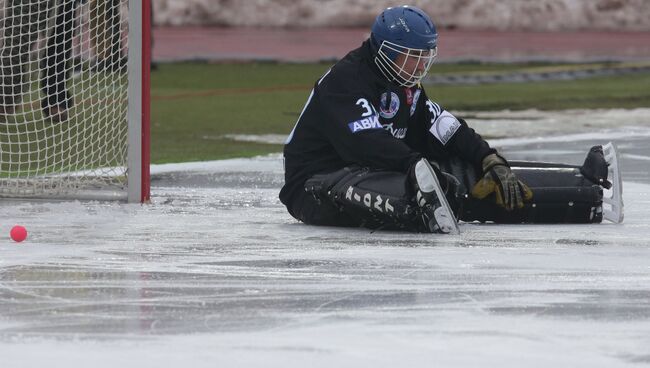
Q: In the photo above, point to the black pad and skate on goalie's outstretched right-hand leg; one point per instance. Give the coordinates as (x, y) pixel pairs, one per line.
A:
(561, 193)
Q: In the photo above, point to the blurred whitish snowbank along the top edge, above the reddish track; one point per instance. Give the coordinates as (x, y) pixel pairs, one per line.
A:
(539, 15)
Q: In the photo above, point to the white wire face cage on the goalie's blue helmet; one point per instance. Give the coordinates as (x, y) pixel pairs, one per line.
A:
(404, 72)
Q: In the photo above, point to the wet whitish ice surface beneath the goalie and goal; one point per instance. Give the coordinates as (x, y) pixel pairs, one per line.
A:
(215, 273)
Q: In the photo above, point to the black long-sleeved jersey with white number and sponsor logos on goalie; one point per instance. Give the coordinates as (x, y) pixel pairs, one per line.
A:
(354, 116)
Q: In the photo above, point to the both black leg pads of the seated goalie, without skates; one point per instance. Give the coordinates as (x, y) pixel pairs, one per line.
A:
(357, 197)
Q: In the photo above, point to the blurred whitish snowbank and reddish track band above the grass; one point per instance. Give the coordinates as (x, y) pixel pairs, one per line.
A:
(308, 30)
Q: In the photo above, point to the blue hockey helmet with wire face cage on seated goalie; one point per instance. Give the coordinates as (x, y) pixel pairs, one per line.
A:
(405, 42)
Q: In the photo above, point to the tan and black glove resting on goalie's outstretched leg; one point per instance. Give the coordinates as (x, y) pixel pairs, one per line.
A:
(510, 193)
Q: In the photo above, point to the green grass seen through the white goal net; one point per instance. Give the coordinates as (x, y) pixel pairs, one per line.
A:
(33, 145)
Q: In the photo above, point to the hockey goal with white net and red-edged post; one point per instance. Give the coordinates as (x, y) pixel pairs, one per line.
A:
(74, 99)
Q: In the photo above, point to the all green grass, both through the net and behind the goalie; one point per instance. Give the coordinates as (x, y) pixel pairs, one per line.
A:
(195, 105)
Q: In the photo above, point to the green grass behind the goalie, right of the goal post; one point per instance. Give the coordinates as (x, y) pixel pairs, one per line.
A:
(195, 104)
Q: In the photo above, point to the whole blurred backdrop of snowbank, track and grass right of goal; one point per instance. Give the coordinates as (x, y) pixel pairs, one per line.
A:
(231, 76)
